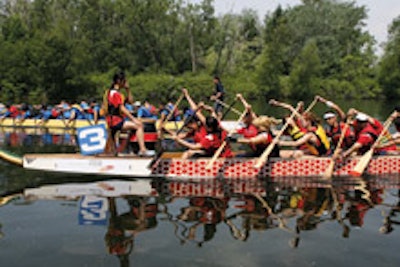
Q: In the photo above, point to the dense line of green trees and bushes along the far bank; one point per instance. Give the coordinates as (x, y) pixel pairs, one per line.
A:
(69, 49)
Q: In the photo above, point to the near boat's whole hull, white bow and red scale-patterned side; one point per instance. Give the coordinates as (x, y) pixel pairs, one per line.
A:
(172, 165)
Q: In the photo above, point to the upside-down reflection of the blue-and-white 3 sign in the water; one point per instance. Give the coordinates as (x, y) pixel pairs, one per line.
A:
(93, 210)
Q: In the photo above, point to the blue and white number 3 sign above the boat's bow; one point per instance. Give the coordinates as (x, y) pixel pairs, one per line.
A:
(92, 139)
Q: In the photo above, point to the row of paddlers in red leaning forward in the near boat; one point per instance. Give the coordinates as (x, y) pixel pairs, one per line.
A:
(303, 132)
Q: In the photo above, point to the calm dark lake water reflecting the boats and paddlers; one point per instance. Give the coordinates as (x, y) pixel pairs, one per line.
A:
(61, 220)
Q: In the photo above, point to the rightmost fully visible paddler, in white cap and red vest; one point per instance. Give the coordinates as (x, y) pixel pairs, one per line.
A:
(367, 130)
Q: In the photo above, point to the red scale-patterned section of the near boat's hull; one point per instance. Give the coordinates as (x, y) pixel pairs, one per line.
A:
(238, 168)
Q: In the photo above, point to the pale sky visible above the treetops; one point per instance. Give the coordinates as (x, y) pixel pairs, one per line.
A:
(380, 12)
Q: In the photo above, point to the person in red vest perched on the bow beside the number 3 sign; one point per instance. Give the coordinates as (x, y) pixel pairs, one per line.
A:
(117, 112)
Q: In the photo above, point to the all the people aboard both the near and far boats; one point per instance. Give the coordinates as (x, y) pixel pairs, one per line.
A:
(204, 134)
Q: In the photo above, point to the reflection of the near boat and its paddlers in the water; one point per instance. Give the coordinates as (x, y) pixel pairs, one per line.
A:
(196, 209)
